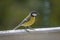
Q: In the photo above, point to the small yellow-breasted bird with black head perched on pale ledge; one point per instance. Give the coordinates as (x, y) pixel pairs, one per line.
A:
(28, 21)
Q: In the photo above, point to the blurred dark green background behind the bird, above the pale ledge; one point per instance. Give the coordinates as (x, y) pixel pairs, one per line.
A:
(12, 12)
